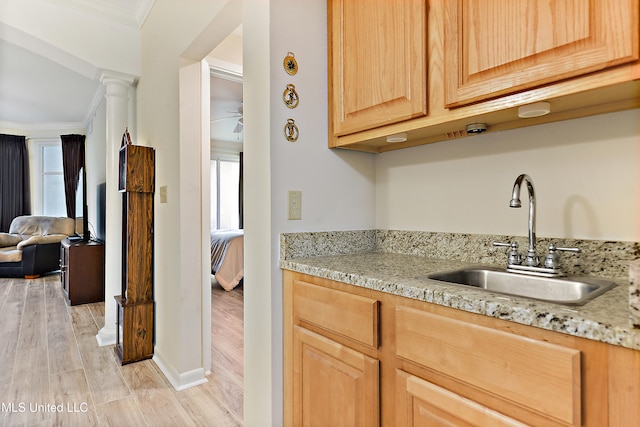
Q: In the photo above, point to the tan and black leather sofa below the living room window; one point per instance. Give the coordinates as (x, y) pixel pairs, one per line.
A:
(32, 245)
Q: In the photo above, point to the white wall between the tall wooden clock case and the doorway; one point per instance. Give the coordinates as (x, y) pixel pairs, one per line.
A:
(169, 30)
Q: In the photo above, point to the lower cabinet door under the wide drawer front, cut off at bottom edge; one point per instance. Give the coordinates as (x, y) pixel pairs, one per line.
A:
(421, 403)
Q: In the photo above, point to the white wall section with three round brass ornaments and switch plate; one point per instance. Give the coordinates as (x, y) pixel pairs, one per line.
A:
(337, 186)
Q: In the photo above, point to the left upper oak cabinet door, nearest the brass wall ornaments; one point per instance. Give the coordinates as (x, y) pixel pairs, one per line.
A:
(377, 62)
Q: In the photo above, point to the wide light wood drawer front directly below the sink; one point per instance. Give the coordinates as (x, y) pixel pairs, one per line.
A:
(537, 375)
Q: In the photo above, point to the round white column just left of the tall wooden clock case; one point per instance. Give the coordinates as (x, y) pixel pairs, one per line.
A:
(117, 96)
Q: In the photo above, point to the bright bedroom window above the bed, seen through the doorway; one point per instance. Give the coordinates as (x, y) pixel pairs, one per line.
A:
(225, 179)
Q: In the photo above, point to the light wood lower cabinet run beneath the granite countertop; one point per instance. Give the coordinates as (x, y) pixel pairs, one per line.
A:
(356, 356)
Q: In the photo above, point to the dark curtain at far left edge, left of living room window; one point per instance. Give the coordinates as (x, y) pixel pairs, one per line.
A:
(15, 198)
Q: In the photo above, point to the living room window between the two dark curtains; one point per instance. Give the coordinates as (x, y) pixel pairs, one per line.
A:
(51, 183)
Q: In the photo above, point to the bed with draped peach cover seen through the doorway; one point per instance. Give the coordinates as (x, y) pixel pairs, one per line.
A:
(227, 257)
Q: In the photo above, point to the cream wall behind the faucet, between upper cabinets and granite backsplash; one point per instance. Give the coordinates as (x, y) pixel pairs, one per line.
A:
(586, 174)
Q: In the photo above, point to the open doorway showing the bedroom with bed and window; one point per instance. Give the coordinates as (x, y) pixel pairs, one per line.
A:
(226, 224)
